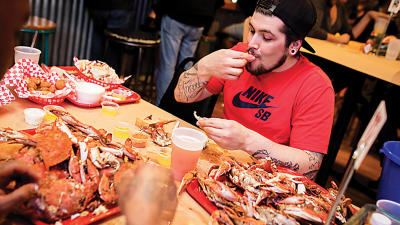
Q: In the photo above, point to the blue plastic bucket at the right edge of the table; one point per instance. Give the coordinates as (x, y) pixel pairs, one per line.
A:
(389, 183)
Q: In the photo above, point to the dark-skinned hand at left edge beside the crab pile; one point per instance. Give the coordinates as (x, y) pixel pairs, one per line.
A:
(18, 183)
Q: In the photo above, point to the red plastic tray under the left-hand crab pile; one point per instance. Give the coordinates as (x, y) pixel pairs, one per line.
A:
(81, 220)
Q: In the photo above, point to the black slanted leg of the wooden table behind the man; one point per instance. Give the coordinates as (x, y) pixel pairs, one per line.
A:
(352, 94)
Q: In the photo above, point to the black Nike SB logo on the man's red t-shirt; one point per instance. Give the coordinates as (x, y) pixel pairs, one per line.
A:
(255, 99)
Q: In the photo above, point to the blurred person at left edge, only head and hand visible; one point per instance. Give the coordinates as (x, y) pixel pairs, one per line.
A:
(13, 14)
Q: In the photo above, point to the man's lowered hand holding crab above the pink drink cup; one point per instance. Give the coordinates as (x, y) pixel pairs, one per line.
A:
(228, 134)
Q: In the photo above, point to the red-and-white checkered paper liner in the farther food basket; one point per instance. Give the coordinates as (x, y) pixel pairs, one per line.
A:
(84, 66)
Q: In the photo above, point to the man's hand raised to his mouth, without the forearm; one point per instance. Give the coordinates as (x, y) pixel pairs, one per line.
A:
(224, 63)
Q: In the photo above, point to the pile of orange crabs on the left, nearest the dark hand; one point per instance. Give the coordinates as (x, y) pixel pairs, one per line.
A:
(81, 168)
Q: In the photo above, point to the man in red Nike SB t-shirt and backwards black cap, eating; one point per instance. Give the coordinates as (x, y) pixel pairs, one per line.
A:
(277, 104)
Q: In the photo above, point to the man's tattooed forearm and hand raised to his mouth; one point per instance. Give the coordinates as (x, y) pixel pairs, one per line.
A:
(225, 63)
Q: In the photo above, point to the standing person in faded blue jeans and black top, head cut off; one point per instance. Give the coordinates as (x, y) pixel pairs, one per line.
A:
(182, 25)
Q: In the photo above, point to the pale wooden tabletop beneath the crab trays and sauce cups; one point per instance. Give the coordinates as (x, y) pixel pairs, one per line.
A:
(188, 211)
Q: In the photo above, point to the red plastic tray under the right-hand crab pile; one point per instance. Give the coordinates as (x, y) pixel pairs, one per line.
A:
(194, 190)
